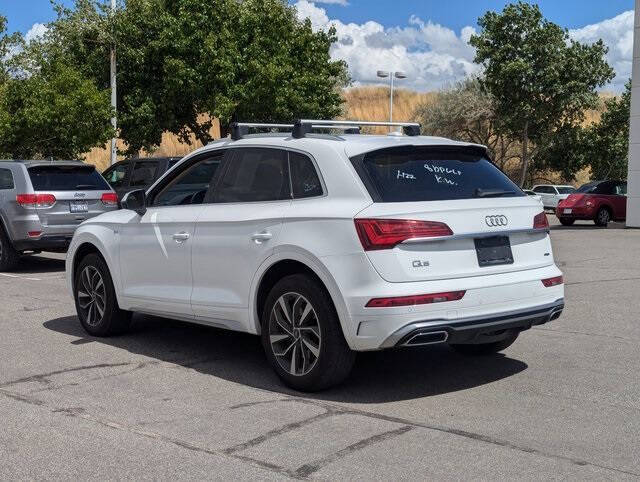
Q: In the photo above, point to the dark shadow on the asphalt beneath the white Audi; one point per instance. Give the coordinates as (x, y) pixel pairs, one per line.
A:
(377, 377)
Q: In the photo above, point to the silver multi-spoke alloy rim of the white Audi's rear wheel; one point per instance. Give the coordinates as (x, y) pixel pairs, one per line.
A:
(294, 334)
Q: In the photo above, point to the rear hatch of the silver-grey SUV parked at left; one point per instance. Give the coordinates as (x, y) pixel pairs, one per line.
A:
(70, 193)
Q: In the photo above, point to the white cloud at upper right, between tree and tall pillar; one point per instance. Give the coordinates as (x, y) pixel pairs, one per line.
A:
(617, 34)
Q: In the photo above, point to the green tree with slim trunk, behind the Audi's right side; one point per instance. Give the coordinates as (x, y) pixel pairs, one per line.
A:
(541, 79)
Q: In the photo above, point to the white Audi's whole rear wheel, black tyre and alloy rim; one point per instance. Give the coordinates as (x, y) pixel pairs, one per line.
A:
(302, 336)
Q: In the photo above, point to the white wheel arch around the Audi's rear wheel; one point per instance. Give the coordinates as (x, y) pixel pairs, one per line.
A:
(285, 263)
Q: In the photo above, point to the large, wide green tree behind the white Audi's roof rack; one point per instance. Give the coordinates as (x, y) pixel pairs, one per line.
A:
(179, 59)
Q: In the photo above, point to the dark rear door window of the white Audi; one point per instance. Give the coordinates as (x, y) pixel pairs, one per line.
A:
(255, 174)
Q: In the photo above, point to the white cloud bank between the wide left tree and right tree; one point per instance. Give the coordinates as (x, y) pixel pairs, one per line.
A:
(430, 54)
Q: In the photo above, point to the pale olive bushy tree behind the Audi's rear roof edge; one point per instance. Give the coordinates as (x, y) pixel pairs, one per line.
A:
(466, 112)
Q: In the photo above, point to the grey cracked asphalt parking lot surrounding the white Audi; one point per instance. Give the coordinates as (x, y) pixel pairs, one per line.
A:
(177, 401)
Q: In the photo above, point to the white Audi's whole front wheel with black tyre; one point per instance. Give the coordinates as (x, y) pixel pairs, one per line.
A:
(95, 298)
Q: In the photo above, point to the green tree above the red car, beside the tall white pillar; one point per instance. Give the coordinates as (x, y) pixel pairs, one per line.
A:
(607, 141)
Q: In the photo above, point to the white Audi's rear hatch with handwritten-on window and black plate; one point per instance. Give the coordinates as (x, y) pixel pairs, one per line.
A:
(442, 212)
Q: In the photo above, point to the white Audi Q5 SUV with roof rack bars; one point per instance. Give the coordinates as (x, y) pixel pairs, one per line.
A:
(325, 245)
